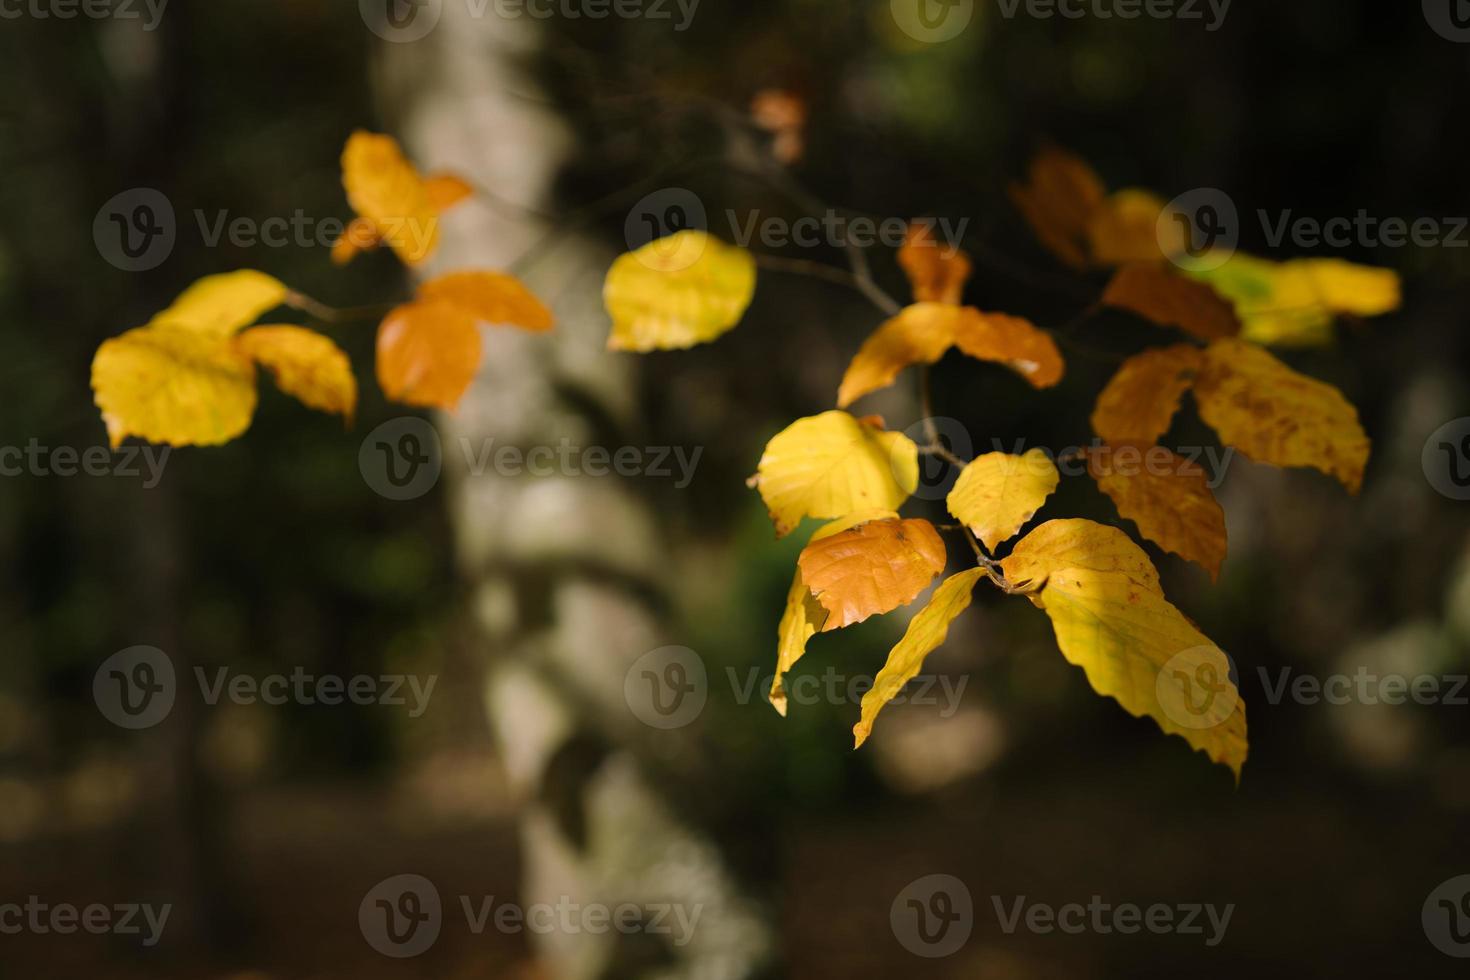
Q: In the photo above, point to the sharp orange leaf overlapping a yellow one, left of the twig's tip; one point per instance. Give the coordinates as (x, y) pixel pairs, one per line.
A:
(871, 569)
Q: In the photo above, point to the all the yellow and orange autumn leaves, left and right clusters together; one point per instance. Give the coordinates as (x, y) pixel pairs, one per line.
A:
(187, 377)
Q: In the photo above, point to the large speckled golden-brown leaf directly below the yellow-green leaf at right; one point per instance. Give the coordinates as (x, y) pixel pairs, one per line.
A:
(1275, 415)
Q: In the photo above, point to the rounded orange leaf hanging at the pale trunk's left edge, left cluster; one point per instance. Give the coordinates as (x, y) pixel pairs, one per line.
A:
(429, 353)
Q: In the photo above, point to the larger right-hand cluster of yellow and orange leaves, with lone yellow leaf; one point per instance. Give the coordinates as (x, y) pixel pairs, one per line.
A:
(1099, 588)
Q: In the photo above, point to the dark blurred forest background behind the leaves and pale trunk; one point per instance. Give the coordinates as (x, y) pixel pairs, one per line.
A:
(265, 826)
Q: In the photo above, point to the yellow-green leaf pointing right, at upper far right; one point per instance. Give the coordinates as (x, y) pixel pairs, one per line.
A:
(1294, 303)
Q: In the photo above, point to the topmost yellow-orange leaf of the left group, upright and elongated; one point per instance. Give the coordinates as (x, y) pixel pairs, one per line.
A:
(387, 193)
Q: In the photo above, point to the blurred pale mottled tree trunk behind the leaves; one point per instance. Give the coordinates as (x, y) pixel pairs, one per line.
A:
(565, 569)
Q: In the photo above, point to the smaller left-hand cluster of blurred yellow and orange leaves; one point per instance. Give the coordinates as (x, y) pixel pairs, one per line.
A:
(189, 375)
